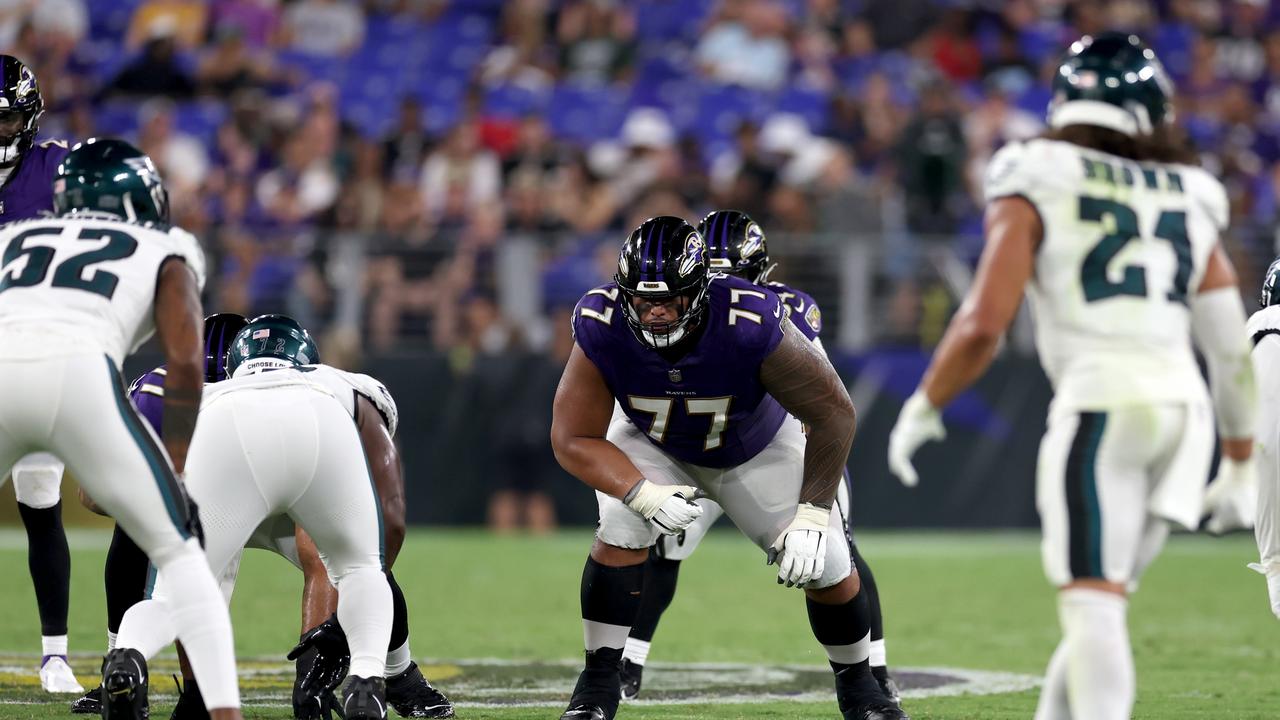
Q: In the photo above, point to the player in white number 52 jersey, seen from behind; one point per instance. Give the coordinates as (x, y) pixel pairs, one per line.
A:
(77, 294)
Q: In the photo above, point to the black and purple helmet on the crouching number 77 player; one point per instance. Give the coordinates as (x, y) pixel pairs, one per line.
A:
(664, 258)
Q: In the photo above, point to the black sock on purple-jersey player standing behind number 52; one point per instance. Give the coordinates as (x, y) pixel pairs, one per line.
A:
(51, 563)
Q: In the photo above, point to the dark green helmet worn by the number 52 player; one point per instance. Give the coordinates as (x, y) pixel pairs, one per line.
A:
(111, 176)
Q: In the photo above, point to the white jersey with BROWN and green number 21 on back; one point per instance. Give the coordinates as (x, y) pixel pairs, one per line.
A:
(1126, 247)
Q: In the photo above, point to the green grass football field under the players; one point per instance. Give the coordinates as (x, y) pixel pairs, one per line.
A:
(495, 623)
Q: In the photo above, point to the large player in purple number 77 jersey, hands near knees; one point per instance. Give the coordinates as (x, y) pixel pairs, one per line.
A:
(707, 372)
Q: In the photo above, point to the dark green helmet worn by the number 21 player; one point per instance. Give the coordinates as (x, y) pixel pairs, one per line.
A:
(1112, 80)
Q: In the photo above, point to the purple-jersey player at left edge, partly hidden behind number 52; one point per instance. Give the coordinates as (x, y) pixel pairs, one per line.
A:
(26, 192)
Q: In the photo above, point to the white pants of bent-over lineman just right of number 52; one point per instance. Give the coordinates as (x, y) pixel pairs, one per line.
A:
(262, 454)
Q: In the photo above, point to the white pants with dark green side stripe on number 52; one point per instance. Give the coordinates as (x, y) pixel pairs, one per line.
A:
(77, 409)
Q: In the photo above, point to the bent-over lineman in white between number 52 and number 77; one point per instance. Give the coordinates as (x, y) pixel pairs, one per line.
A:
(277, 440)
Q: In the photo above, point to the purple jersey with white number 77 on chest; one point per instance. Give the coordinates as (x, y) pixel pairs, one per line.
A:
(708, 408)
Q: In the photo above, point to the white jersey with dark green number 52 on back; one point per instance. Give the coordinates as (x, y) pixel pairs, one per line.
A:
(80, 285)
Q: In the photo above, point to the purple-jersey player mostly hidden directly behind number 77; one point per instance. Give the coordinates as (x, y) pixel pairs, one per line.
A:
(737, 247)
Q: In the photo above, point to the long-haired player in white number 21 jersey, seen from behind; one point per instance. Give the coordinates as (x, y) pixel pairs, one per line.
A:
(1114, 235)
